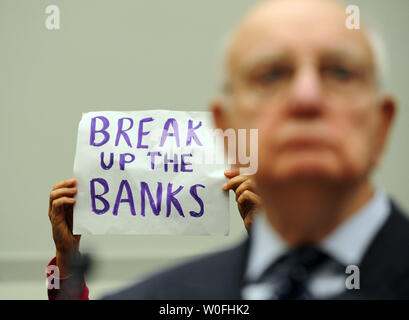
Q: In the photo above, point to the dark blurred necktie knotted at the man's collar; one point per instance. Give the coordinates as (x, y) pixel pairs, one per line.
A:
(292, 271)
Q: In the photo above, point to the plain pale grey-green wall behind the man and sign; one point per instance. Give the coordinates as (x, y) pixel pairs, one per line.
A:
(127, 55)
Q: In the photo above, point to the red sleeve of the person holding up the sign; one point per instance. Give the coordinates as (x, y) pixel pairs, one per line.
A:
(55, 284)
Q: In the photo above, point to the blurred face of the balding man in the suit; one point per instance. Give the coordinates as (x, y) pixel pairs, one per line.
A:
(307, 83)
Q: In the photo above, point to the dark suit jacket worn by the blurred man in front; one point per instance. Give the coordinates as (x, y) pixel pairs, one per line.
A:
(384, 271)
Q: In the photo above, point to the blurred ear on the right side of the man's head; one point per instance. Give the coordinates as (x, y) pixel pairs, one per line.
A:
(387, 111)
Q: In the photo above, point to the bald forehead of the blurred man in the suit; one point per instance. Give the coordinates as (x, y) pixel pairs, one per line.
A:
(295, 24)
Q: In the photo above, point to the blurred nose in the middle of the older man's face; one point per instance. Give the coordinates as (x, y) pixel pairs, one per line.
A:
(306, 97)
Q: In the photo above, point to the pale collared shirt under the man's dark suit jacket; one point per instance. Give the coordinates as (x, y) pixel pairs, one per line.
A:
(347, 244)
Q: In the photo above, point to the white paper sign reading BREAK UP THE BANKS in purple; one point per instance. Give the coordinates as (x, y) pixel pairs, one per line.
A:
(149, 172)
